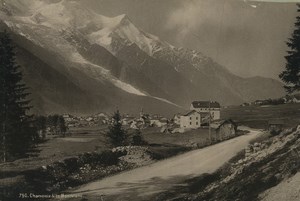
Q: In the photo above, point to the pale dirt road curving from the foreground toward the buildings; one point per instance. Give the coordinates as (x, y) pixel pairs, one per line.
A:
(144, 182)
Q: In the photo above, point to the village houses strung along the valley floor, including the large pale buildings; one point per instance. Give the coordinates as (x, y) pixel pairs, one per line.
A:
(201, 114)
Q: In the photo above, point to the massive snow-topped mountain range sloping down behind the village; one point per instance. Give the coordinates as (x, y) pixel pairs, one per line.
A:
(77, 61)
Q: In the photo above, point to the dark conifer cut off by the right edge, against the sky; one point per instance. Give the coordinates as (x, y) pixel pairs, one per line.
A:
(291, 75)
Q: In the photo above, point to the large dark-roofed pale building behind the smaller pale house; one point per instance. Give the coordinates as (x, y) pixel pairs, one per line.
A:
(207, 107)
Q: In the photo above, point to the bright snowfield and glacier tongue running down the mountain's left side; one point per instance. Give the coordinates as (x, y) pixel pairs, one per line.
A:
(45, 19)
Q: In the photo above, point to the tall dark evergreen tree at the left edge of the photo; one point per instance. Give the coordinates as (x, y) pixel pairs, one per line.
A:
(17, 134)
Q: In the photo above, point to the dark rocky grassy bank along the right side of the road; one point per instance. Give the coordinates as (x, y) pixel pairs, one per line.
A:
(261, 166)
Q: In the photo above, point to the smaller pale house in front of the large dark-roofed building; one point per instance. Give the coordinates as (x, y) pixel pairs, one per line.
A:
(192, 119)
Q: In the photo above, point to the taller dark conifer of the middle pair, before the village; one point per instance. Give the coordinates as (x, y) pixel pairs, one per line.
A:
(116, 135)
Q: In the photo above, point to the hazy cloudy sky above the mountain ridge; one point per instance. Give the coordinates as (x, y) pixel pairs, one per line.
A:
(247, 37)
